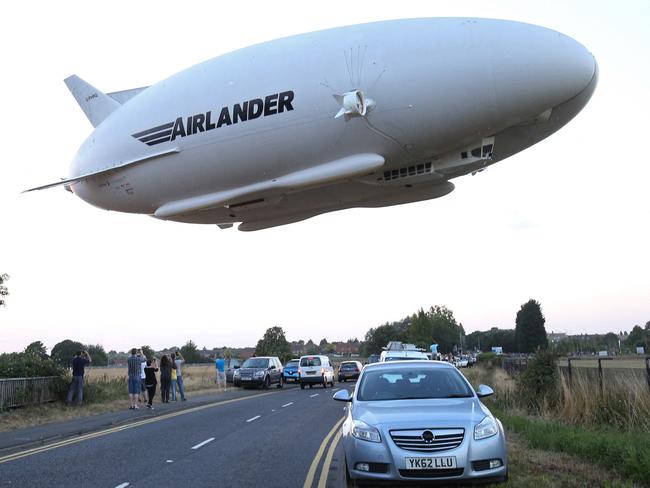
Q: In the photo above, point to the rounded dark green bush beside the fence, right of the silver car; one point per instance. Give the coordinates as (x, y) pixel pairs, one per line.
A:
(538, 384)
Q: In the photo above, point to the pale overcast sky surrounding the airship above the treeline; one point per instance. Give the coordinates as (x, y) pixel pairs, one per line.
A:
(565, 222)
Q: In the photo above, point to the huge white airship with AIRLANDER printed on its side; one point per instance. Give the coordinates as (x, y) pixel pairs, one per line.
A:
(369, 115)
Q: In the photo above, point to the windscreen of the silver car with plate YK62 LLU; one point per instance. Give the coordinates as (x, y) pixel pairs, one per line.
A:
(411, 382)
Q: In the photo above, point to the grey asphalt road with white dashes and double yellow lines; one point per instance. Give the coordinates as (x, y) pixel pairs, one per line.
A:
(274, 438)
